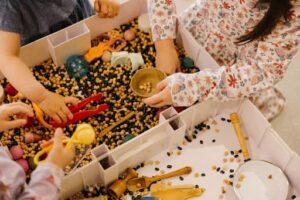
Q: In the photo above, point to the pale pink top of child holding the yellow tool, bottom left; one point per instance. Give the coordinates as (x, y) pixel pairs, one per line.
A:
(44, 184)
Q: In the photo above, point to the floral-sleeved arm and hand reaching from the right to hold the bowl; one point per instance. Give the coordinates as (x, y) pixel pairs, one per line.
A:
(246, 77)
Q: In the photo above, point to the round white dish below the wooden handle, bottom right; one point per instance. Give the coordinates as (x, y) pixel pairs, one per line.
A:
(263, 180)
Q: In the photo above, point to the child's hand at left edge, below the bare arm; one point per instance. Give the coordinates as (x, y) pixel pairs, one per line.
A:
(13, 109)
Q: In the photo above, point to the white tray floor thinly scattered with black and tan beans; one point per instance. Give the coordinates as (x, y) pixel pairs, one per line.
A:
(216, 157)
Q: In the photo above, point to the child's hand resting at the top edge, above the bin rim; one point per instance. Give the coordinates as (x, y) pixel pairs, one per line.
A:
(107, 8)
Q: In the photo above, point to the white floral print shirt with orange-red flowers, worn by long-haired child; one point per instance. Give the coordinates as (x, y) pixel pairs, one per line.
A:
(216, 24)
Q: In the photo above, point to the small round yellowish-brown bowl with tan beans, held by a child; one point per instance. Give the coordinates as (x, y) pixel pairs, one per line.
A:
(142, 76)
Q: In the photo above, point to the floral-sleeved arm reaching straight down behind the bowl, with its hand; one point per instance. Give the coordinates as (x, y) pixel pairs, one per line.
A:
(163, 24)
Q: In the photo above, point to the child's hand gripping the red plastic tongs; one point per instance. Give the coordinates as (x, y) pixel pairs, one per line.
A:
(54, 105)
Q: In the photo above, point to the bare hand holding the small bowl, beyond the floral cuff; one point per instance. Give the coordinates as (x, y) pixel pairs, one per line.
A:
(162, 98)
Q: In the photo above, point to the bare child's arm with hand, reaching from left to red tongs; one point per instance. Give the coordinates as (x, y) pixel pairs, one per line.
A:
(15, 70)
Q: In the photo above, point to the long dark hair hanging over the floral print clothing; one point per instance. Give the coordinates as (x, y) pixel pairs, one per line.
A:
(277, 10)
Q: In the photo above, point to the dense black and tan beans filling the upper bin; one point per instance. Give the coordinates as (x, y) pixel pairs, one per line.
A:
(112, 81)
